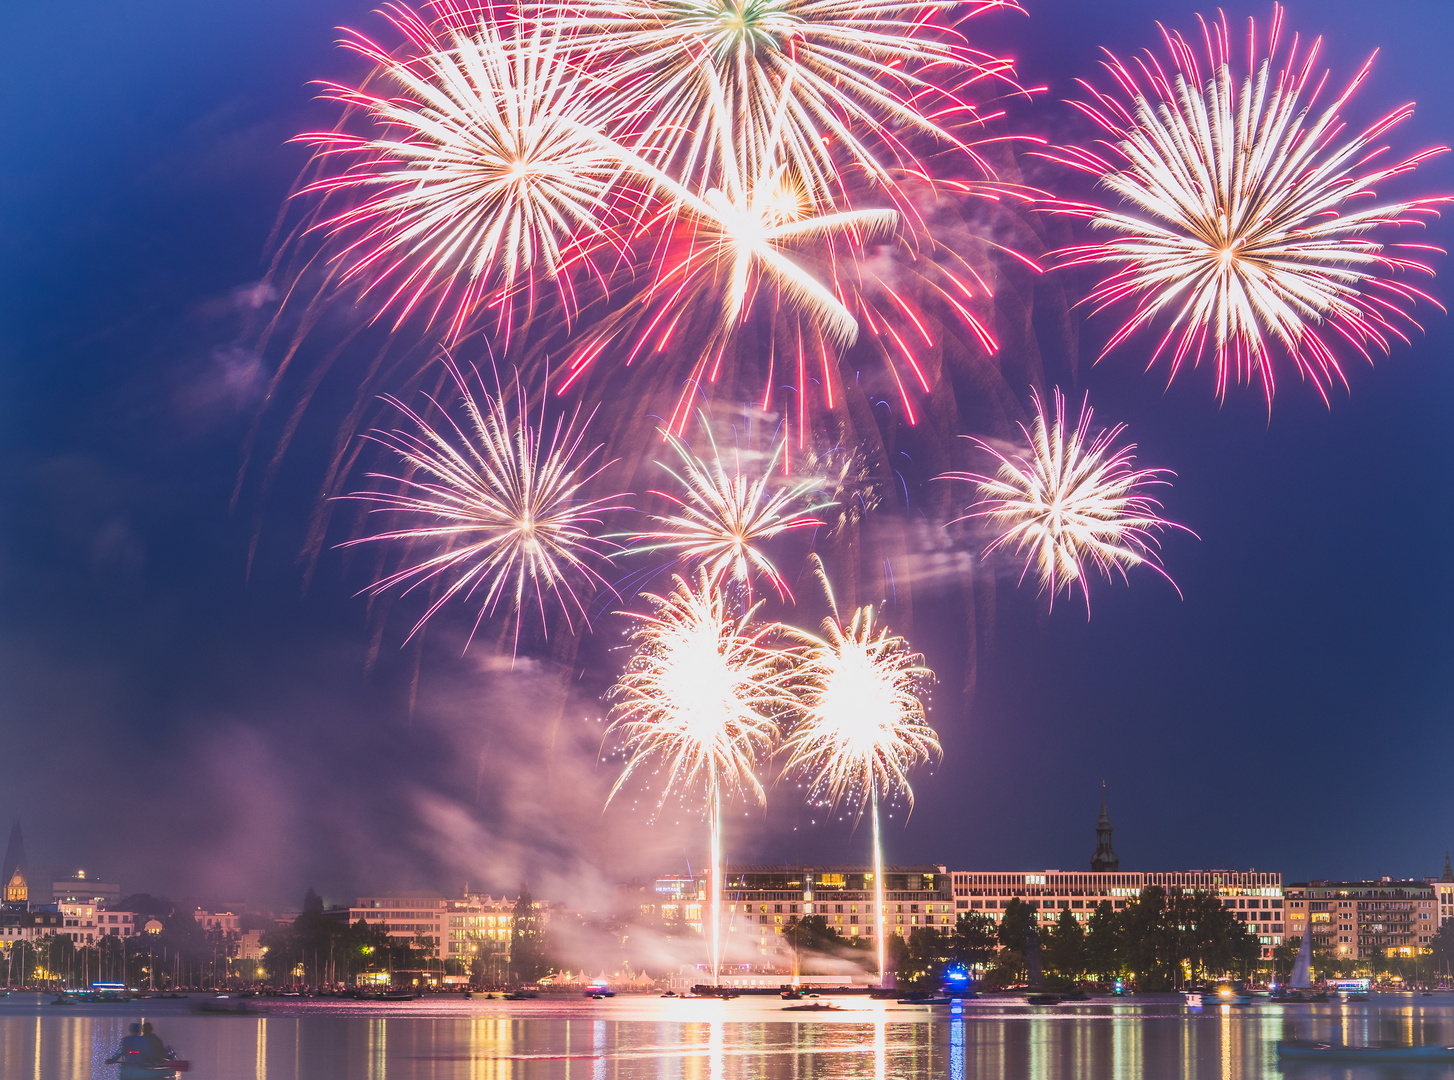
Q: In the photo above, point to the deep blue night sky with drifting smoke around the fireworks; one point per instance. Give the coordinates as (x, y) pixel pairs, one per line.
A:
(172, 723)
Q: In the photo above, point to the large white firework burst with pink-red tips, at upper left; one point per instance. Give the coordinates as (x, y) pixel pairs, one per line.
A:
(481, 178)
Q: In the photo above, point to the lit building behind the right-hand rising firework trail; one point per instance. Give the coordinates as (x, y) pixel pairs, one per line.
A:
(761, 902)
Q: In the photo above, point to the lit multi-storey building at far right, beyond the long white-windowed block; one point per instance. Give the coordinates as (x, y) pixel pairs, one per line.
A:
(1365, 919)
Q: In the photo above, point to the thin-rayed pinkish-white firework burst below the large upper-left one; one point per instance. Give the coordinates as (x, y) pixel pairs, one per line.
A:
(497, 505)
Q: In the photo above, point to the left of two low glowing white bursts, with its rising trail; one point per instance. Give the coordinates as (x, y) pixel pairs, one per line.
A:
(700, 701)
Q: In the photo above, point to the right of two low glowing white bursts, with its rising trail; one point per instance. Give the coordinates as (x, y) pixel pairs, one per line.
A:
(861, 725)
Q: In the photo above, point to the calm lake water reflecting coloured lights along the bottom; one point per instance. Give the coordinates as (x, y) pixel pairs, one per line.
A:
(649, 1039)
